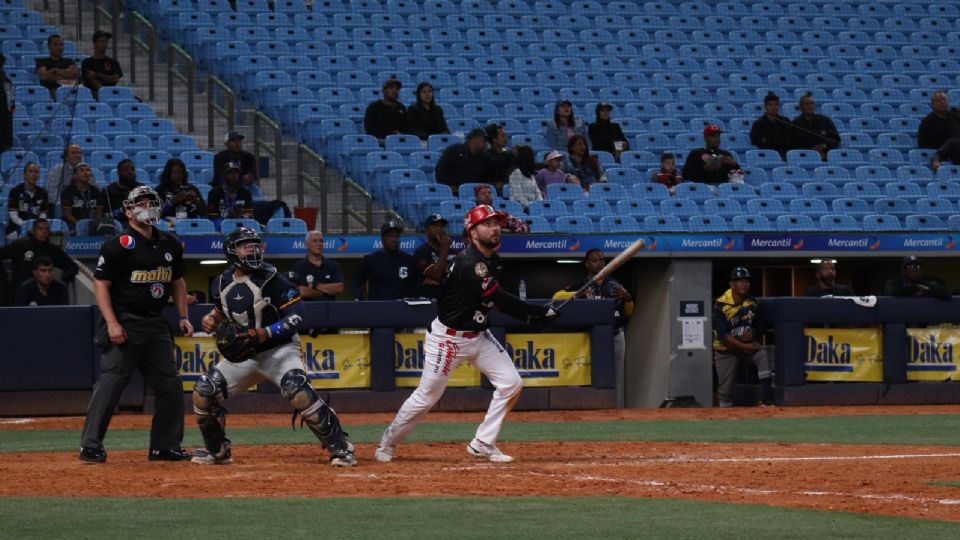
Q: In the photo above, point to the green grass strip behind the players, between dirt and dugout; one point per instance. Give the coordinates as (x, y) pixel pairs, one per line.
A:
(933, 429)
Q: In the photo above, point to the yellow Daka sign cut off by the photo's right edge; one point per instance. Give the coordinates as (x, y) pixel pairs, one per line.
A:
(930, 354)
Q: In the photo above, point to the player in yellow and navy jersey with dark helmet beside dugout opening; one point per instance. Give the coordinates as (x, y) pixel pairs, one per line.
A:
(737, 327)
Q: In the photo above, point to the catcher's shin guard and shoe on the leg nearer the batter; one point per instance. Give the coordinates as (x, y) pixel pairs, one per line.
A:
(318, 416)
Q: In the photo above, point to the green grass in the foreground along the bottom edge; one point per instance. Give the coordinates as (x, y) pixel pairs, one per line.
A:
(461, 518)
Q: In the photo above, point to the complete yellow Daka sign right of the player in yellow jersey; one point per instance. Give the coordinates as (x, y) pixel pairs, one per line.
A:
(844, 354)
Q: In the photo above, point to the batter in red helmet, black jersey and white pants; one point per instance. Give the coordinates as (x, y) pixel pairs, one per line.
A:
(460, 333)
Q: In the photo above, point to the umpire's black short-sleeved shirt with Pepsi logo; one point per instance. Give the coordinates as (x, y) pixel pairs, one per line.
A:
(141, 270)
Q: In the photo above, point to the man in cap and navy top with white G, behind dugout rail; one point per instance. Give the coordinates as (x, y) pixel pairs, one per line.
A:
(389, 273)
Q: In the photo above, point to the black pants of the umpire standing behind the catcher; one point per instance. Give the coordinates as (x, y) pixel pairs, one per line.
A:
(149, 347)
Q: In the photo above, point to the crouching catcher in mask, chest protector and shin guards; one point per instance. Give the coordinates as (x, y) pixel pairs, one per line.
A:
(259, 313)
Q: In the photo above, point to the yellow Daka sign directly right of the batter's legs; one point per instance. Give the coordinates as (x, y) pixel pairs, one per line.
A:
(551, 359)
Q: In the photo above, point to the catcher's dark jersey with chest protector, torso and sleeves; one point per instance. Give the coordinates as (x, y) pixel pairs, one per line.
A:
(258, 300)
